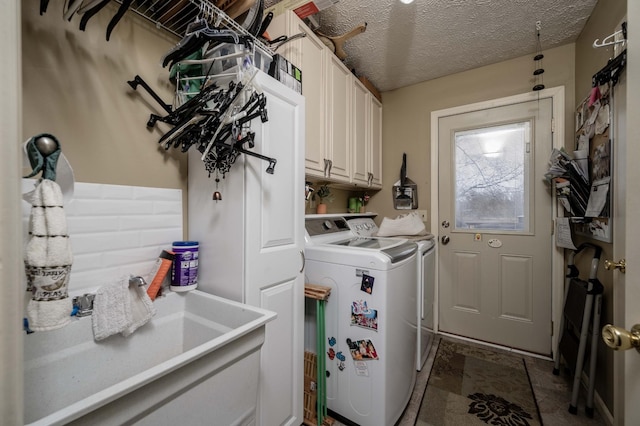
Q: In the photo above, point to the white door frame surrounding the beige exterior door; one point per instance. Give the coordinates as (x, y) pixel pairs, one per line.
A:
(557, 260)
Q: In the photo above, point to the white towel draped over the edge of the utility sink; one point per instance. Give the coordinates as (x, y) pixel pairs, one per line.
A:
(120, 308)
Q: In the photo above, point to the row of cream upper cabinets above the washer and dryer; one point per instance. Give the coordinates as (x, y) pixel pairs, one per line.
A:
(343, 119)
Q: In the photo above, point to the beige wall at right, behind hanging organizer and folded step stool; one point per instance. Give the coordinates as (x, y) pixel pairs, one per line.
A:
(604, 20)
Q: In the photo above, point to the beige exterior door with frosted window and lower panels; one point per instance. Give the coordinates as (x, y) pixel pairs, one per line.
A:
(495, 218)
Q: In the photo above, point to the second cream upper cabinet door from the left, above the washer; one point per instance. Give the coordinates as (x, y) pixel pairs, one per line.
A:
(338, 110)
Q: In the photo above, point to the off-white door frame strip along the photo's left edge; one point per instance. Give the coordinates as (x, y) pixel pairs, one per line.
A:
(11, 261)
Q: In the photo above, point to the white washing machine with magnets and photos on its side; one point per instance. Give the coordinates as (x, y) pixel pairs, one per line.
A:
(371, 345)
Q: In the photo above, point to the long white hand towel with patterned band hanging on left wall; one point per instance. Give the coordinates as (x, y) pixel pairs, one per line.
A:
(48, 259)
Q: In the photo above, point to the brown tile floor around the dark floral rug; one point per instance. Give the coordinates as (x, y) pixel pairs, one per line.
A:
(553, 394)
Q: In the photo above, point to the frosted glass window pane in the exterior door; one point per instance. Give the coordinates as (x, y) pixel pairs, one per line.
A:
(491, 178)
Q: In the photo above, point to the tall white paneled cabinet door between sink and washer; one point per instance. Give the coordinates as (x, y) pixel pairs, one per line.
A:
(274, 242)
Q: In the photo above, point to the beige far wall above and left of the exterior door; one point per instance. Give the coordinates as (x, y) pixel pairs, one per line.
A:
(407, 114)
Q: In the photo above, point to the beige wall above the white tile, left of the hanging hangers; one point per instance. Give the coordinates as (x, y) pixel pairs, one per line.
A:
(75, 87)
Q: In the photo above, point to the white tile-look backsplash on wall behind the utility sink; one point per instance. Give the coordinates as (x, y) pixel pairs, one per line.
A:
(115, 231)
